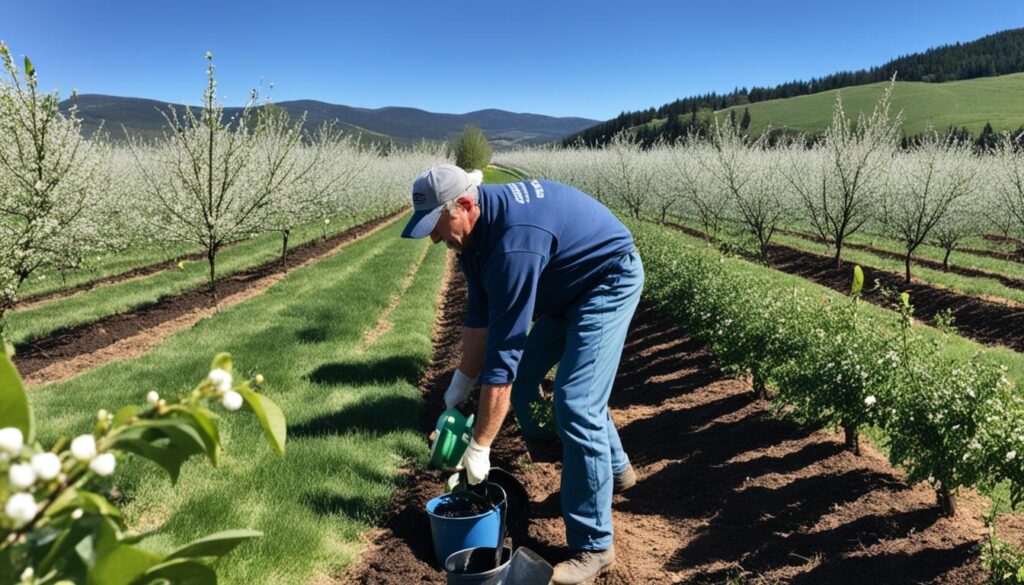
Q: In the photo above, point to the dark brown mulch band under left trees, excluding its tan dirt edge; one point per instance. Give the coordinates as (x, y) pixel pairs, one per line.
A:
(64, 346)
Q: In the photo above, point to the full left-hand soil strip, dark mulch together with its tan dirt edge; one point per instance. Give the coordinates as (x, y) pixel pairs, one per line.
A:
(129, 336)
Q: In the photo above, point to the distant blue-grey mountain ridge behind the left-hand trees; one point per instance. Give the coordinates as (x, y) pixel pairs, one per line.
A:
(143, 117)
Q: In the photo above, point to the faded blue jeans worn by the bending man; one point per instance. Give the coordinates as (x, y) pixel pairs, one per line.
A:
(587, 346)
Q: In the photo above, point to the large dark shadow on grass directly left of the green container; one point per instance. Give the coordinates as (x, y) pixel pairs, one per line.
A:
(376, 414)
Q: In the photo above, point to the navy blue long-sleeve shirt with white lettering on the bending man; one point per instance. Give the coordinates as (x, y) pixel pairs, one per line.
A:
(537, 247)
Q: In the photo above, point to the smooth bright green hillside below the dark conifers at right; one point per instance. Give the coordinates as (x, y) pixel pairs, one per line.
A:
(967, 104)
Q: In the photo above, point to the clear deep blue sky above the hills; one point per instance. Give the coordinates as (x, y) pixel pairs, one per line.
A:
(560, 58)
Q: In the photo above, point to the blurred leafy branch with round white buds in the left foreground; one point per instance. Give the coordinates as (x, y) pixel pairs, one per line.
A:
(56, 529)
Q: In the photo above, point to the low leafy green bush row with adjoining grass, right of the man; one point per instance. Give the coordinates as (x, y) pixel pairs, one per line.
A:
(945, 408)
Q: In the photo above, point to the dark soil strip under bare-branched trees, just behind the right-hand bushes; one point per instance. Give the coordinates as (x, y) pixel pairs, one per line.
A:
(989, 321)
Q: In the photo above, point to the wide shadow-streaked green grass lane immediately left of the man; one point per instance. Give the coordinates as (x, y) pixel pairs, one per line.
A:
(354, 412)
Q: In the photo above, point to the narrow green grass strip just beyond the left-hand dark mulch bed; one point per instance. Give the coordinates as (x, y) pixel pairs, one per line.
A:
(92, 306)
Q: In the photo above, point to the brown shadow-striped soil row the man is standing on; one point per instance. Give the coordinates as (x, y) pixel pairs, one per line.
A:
(727, 493)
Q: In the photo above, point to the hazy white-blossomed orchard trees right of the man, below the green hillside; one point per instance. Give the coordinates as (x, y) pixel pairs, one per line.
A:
(856, 179)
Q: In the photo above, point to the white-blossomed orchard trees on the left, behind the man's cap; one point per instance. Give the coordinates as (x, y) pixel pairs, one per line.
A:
(209, 182)
